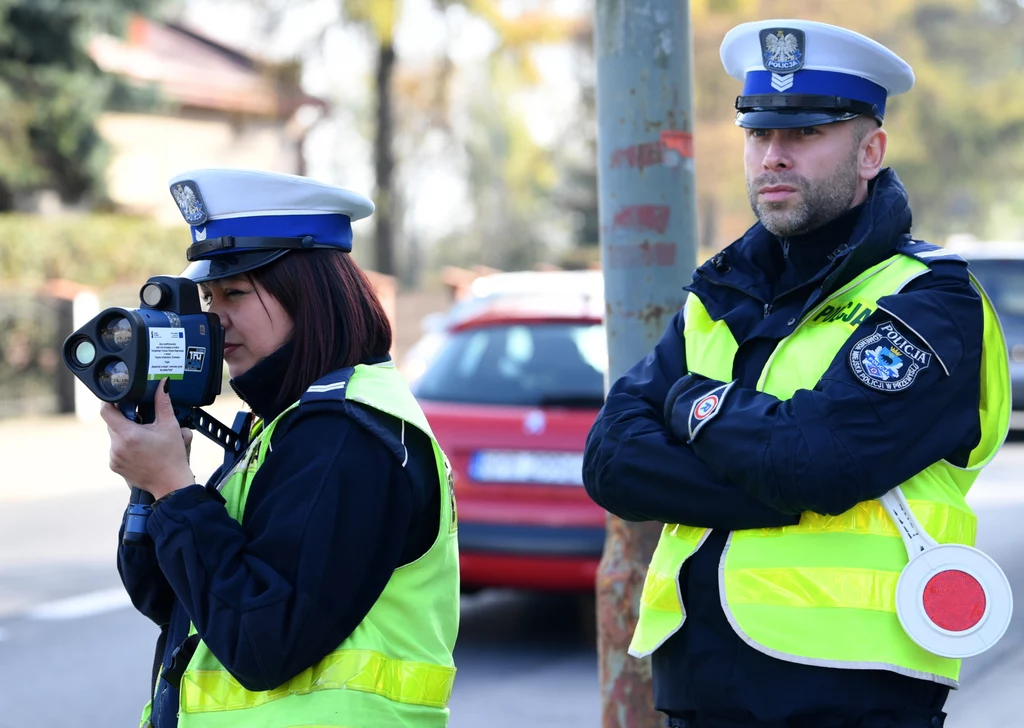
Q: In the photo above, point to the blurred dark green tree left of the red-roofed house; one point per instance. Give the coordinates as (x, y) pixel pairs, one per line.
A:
(52, 94)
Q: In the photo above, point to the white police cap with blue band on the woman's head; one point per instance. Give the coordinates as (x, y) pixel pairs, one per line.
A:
(242, 220)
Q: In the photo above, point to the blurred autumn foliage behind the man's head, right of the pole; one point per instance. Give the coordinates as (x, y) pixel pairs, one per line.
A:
(957, 140)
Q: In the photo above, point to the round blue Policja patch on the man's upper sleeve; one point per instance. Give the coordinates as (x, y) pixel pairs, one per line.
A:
(886, 361)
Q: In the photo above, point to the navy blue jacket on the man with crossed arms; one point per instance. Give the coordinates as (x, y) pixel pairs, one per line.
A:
(760, 462)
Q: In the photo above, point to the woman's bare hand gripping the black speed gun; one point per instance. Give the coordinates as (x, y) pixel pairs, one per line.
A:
(153, 457)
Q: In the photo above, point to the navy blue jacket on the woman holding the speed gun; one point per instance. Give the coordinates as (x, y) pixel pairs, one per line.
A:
(330, 516)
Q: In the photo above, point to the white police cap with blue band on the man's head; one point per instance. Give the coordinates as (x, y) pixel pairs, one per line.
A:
(800, 73)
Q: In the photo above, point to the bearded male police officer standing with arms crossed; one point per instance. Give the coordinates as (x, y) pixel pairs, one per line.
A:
(822, 360)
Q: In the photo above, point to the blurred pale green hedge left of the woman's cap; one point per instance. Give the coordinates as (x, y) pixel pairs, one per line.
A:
(96, 250)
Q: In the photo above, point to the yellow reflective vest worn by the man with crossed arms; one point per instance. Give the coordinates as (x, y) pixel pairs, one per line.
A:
(823, 592)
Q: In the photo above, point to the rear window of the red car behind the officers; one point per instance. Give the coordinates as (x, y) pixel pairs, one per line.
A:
(529, 365)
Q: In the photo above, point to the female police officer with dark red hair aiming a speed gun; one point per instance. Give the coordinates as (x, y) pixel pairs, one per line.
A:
(316, 581)
